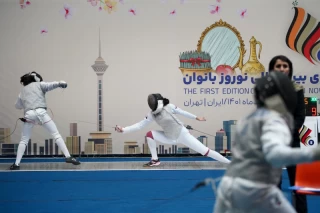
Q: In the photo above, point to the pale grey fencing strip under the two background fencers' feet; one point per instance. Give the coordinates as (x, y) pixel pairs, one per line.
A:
(85, 166)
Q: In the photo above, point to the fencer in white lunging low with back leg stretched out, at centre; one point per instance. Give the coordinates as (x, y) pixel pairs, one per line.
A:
(174, 132)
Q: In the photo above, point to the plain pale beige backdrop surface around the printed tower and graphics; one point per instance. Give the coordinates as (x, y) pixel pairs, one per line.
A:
(142, 52)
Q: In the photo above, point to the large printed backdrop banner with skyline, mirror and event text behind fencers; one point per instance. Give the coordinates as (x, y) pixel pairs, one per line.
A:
(114, 53)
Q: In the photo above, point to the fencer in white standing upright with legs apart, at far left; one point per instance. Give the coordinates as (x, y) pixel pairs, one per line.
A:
(32, 100)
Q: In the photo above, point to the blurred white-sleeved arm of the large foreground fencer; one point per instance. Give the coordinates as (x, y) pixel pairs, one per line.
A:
(276, 138)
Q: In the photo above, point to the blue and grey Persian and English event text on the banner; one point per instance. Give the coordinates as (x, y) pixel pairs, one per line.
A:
(236, 90)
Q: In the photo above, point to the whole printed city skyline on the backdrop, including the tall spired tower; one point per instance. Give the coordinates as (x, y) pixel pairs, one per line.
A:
(100, 142)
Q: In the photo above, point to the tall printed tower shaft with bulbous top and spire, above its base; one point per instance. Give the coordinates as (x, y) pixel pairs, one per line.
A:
(99, 68)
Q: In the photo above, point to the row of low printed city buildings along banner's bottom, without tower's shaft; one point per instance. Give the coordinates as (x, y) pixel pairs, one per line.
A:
(100, 143)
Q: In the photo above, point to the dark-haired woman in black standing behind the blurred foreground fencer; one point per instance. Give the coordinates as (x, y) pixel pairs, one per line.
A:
(283, 64)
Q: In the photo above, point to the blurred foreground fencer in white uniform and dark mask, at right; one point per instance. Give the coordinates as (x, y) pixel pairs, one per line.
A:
(261, 150)
